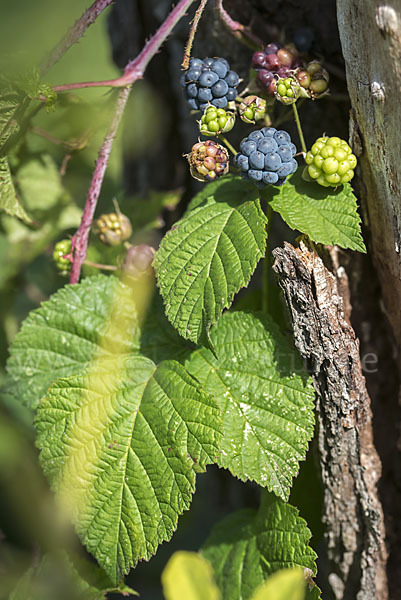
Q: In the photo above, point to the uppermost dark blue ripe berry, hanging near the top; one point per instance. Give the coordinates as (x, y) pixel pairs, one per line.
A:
(209, 81)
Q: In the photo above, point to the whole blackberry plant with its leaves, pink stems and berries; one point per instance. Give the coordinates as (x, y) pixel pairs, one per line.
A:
(136, 380)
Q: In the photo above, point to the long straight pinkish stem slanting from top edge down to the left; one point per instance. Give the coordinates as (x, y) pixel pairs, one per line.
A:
(133, 71)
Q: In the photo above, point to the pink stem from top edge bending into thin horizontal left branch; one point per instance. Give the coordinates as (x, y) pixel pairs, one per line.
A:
(136, 68)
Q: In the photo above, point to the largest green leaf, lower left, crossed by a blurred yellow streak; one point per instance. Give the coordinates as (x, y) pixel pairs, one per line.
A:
(121, 445)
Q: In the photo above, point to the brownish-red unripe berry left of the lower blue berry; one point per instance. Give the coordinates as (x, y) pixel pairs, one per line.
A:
(208, 160)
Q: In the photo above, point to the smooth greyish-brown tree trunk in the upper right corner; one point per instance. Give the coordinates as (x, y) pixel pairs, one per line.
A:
(370, 34)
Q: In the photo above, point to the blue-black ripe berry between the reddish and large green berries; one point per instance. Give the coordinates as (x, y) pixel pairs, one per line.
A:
(266, 156)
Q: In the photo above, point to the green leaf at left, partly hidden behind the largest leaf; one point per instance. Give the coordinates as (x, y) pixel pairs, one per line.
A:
(95, 319)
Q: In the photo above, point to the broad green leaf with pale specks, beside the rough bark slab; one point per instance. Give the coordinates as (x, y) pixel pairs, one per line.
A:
(266, 398)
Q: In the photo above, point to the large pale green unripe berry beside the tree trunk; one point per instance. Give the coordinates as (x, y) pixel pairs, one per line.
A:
(330, 161)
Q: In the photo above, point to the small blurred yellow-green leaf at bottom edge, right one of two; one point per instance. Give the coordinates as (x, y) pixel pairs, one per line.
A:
(287, 584)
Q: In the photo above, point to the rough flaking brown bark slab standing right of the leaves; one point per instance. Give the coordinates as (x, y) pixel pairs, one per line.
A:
(349, 462)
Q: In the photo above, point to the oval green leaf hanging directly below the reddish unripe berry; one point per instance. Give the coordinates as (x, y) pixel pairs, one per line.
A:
(209, 255)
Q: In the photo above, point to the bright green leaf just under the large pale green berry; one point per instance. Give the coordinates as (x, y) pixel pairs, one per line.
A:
(326, 215)
